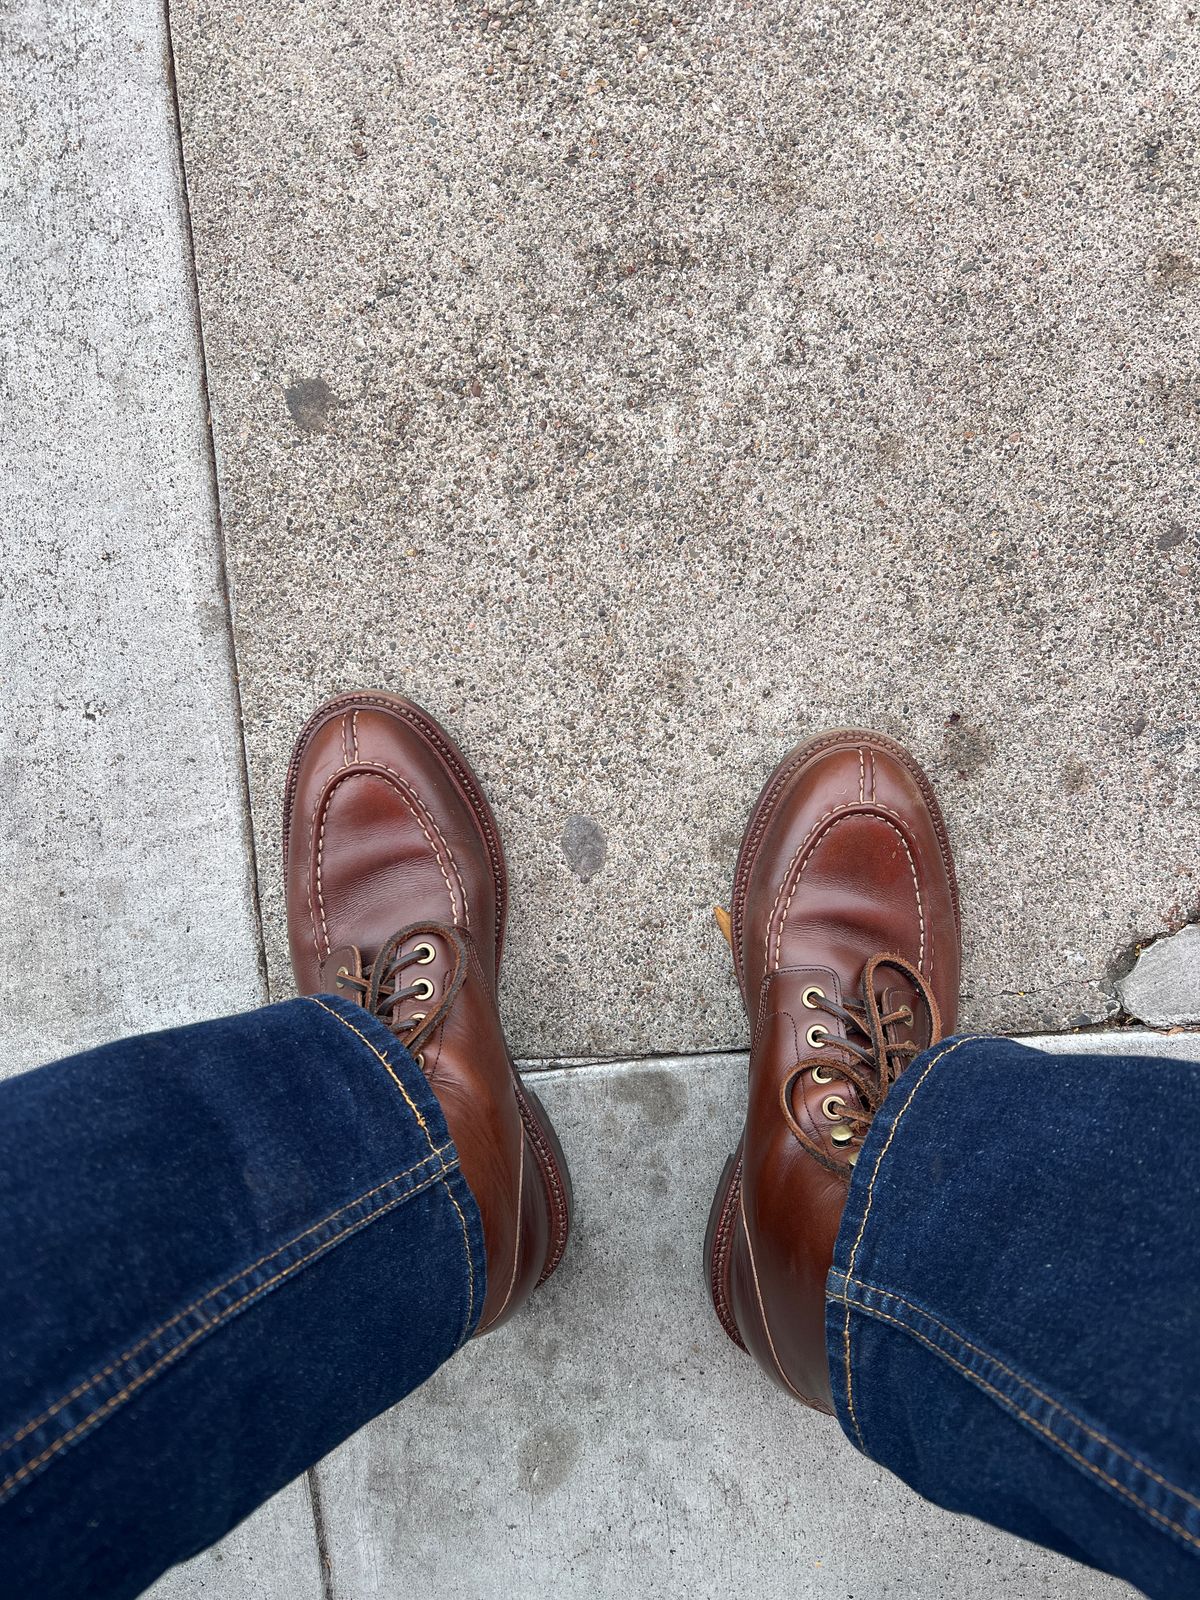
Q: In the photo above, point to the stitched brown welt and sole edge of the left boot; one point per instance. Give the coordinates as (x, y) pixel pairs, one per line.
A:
(546, 1148)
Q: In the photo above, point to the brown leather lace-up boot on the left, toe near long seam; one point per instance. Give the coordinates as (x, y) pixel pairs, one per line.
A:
(396, 900)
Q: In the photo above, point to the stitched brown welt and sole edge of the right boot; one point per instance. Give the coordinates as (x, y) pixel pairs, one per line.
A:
(727, 1201)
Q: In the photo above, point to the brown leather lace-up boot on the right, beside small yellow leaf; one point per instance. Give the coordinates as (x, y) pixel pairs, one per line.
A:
(846, 940)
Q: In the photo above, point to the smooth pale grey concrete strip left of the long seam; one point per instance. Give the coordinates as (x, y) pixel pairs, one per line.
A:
(124, 847)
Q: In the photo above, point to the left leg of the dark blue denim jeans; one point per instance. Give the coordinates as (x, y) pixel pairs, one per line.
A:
(223, 1249)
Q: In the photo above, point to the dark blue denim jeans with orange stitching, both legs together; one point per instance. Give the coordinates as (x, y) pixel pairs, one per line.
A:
(225, 1249)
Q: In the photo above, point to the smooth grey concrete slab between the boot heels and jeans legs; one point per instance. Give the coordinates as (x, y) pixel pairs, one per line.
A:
(612, 1442)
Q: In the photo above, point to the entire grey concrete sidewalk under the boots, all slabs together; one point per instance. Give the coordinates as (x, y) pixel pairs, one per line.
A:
(562, 382)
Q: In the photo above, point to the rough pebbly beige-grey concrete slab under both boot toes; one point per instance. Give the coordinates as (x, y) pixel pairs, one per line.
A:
(649, 388)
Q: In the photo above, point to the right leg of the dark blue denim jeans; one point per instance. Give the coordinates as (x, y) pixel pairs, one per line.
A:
(1014, 1313)
